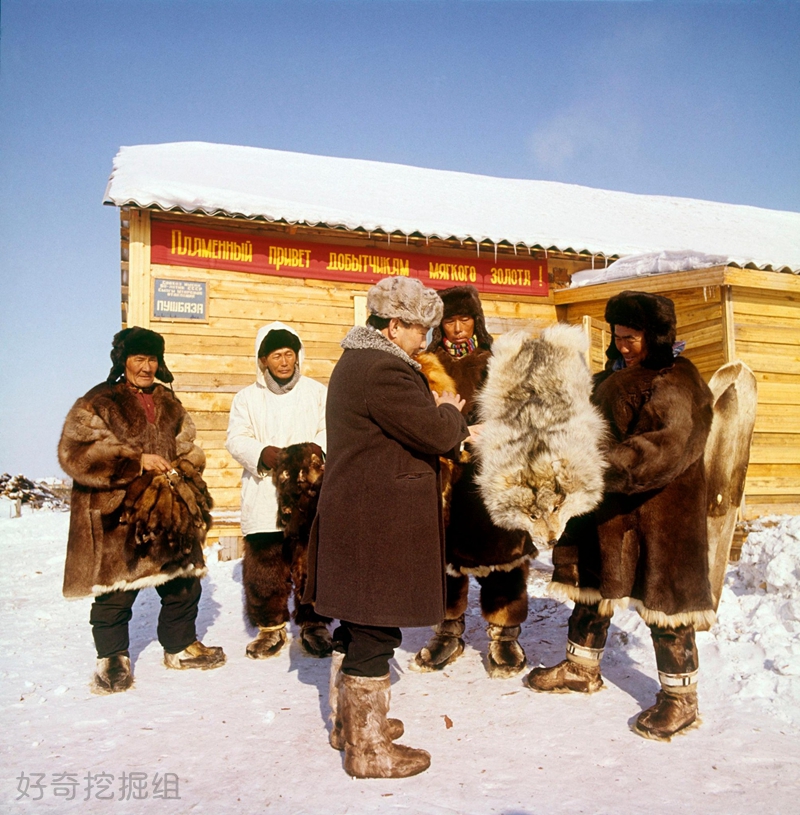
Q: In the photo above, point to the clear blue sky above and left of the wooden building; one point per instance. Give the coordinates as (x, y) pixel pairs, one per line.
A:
(688, 99)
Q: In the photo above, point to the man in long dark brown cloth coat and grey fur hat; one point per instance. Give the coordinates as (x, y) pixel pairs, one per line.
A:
(376, 553)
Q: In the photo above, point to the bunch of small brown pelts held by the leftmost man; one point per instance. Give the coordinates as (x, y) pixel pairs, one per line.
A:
(168, 509)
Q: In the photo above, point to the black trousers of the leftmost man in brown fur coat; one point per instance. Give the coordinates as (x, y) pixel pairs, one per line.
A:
(112, 612)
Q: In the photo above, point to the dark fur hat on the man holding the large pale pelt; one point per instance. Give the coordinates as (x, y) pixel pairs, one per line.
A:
(651, 313)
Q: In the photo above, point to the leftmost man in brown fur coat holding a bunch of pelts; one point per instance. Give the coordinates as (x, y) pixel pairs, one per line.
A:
(139, 511)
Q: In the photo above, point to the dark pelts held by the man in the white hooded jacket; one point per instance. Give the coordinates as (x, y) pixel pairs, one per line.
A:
(297, 476)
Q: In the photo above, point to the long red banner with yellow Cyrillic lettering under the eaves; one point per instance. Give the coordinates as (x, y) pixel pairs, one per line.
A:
(179, 245)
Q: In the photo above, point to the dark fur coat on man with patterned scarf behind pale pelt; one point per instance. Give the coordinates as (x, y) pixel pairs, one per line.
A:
(474, 545)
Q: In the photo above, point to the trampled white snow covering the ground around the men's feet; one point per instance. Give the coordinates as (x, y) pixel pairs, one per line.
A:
(251, 736)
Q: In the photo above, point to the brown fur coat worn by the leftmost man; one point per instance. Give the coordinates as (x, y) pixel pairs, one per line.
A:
(104, 436)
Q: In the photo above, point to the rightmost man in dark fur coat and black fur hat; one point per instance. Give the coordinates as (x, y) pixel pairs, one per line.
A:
(646, 544)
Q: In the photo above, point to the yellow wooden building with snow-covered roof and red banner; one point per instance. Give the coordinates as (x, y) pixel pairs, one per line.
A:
(218, 240)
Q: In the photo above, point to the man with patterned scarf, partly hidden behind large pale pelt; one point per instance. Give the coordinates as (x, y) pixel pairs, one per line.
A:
(498, 558)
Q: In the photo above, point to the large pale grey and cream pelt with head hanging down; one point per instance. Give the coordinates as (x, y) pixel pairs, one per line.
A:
(540, 452)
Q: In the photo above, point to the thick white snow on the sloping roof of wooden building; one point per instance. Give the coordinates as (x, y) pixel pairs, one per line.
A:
(276, 185)
